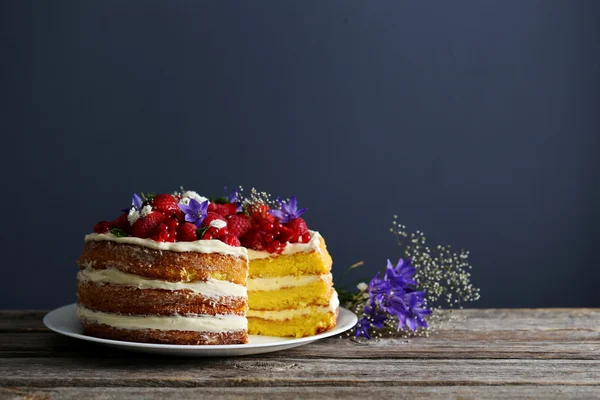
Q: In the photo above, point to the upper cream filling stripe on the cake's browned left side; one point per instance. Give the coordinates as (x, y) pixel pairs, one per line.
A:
(212, 288)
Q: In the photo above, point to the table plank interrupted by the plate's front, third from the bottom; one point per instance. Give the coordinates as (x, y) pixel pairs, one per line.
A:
(554, 344)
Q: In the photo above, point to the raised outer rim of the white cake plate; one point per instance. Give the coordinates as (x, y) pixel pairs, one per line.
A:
(47, 321)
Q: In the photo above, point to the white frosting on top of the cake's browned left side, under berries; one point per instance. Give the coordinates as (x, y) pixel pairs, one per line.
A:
(199, 246)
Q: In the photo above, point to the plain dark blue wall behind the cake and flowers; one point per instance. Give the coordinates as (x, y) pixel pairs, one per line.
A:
(474, 121)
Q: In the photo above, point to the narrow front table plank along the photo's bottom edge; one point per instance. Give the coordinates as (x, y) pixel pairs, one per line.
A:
(285, 393)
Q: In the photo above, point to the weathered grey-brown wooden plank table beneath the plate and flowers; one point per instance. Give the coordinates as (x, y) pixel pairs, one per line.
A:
(540, 353)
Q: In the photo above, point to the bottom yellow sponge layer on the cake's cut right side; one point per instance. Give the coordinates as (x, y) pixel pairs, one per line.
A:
(306, 325)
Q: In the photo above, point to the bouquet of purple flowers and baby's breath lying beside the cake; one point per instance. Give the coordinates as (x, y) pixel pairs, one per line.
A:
(424, 280)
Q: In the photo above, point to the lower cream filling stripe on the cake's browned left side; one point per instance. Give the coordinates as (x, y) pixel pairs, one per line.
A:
(200, 323)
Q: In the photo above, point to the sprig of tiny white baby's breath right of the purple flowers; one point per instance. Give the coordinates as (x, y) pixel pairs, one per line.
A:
(441, 272)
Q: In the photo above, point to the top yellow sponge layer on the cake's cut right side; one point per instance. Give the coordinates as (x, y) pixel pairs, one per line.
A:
(310, 263)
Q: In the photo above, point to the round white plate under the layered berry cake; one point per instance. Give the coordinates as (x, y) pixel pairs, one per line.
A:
(64, 320)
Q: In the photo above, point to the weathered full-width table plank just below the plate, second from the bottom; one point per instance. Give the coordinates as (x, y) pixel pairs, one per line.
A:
(194, 372)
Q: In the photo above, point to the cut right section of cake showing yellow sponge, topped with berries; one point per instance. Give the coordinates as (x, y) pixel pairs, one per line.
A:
(290, 286)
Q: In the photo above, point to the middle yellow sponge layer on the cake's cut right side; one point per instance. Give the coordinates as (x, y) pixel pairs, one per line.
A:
(315, 293)
